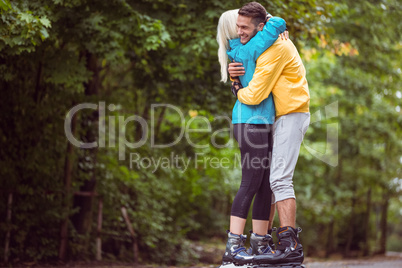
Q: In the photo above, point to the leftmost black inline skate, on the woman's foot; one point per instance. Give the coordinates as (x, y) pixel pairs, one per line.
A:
(235, 251)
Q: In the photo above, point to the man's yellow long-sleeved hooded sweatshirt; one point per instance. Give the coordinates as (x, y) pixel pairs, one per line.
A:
(279, 70)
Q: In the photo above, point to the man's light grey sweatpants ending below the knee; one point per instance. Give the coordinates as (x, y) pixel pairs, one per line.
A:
(289, 132)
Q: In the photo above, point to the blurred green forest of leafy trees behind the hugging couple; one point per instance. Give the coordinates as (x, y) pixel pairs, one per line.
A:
(152, 65)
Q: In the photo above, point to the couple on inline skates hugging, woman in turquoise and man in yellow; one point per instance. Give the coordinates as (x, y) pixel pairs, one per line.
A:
(270, 118)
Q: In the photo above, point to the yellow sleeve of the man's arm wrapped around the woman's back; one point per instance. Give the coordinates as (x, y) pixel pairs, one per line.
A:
(269, 68)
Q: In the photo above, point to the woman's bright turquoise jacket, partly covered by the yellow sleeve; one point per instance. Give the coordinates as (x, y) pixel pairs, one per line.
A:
(263, 113)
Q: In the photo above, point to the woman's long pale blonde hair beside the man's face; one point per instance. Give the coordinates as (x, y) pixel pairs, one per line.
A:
(227, 30)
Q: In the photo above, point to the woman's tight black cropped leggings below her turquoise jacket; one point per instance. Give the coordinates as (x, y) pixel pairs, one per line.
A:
(255, 142)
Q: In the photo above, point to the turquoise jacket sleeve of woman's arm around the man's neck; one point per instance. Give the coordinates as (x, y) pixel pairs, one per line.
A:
(265, 38)
